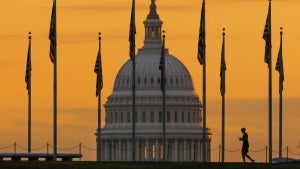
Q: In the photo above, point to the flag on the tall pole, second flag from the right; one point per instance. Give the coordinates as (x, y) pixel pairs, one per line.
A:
(267, 37)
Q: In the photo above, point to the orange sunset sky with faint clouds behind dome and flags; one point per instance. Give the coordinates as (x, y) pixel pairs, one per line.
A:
(80, 21)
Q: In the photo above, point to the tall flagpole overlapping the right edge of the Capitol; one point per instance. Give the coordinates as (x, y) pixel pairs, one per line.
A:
(204, 94)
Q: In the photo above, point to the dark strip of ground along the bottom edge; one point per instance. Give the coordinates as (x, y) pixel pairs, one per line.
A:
(142, 165)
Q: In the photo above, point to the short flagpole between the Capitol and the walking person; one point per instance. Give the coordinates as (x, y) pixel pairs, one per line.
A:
(223, 99)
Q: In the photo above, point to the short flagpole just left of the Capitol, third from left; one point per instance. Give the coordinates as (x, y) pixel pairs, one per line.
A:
(99, 107)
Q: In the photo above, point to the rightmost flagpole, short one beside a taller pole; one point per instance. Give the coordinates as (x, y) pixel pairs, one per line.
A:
(280, 99)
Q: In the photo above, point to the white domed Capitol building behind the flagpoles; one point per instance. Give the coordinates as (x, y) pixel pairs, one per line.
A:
(184, 132)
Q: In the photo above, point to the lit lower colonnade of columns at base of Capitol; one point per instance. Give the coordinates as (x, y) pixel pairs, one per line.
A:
(187, 150)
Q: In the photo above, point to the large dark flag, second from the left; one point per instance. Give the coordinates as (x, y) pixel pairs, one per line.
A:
(52, 33)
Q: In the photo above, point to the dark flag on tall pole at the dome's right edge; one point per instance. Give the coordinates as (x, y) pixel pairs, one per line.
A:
(201, 40)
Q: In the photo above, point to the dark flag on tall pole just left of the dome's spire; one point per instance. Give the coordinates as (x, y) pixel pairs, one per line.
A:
(132, 32)
